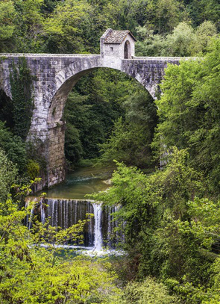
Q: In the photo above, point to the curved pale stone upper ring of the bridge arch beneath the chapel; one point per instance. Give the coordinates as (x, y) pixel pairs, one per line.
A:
(66, 79)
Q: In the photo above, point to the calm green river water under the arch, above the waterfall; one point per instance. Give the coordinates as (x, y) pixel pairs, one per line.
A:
(81, 182)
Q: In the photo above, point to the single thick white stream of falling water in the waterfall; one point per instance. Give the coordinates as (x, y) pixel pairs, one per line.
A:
(98, 232)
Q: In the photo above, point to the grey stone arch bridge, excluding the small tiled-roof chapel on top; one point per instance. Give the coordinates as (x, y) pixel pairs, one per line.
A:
(55, 76)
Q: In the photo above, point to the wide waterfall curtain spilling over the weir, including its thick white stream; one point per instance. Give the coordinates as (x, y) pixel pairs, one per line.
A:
(65, 213)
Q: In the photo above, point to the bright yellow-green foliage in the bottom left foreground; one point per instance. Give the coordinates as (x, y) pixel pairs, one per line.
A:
(30, 273)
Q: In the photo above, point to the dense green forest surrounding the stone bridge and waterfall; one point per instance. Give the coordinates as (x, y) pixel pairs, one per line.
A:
(166, 151)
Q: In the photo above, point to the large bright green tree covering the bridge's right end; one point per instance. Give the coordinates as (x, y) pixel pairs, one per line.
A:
(189, 111)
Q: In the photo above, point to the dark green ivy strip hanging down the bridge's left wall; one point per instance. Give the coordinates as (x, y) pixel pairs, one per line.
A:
(22, 106)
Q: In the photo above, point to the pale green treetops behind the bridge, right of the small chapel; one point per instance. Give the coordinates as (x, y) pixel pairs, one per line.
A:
(184, 40)
